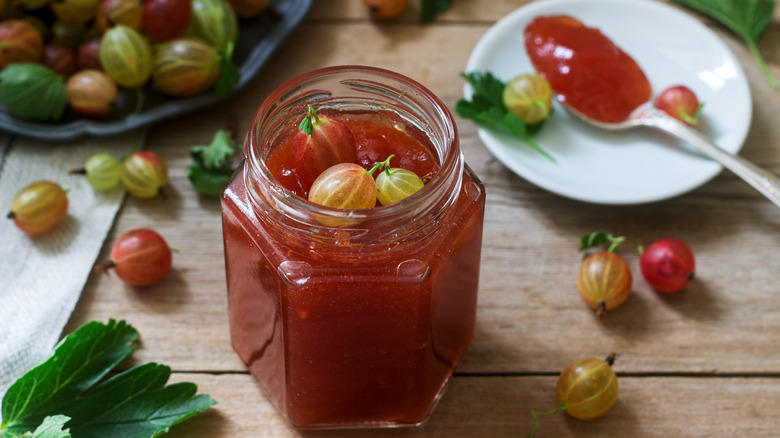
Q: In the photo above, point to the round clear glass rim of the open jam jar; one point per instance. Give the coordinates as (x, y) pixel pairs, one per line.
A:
(448, 153)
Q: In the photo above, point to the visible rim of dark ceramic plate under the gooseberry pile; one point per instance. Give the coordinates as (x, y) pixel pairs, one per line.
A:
(258, 39)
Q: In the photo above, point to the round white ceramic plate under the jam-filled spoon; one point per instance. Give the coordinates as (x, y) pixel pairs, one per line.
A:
(635, 166)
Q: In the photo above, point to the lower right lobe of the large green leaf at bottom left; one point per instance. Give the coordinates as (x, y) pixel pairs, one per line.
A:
(135, 404)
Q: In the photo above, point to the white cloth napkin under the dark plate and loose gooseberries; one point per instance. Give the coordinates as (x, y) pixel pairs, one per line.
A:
(41, 277)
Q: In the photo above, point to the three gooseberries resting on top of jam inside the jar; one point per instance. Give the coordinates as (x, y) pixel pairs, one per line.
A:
(326, 158)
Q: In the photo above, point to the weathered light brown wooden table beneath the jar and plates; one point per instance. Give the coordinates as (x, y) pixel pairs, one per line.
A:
(704, 362)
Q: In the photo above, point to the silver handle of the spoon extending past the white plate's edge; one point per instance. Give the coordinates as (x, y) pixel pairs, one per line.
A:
(767, 183)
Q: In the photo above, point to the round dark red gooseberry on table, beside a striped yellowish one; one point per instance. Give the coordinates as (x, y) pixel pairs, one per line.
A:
(667, 265)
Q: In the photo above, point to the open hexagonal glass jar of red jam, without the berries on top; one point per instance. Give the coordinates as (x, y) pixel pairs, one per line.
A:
(353, 318)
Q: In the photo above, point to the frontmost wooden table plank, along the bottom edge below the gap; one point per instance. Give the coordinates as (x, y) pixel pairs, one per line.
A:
(477, 407)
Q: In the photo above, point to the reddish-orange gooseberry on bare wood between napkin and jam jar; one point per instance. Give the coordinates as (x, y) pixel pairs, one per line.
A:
(140, 257)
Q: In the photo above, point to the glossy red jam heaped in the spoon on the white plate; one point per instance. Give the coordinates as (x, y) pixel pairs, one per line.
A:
(585, 69)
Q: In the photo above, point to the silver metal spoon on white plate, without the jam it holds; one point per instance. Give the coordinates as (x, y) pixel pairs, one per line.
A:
(646, 114)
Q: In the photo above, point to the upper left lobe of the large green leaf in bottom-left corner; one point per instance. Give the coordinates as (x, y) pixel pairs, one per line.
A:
(78, 362)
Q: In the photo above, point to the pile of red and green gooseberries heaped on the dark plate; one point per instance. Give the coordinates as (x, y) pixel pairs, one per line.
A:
(98, 45)
